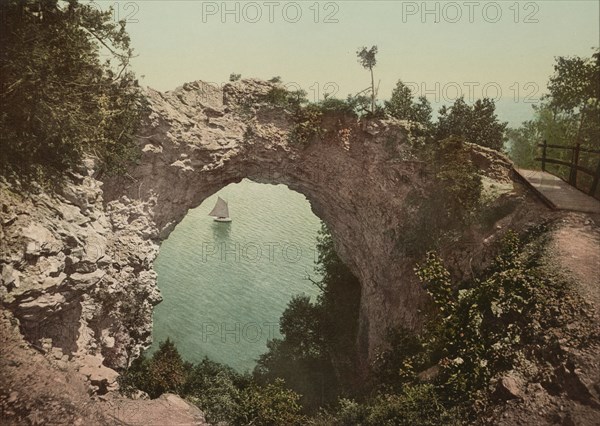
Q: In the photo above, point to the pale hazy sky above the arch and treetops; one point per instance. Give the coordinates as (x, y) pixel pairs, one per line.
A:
(443, 49)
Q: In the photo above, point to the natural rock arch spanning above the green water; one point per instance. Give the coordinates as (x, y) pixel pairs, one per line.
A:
(198, 138)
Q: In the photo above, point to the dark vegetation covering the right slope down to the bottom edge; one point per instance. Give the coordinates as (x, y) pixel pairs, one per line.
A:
(483, 331)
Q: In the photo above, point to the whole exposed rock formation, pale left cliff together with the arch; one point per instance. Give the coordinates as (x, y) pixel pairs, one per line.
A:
(77, 265)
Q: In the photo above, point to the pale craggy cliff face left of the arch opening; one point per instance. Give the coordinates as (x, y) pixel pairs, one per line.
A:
(78, 273)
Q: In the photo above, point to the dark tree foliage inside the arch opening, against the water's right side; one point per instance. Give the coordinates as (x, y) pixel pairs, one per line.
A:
(317, 355)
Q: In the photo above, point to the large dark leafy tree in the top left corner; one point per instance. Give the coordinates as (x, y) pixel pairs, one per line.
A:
(58, 98)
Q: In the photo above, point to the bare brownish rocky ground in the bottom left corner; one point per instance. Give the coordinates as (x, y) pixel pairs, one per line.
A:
(39, 389)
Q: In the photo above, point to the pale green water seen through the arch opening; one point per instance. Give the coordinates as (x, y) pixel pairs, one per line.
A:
(225, 285)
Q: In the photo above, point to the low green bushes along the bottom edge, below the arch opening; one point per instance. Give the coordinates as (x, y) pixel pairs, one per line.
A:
(221, 393)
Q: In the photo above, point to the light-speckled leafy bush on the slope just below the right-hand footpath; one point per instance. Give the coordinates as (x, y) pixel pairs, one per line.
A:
(483, 326)
